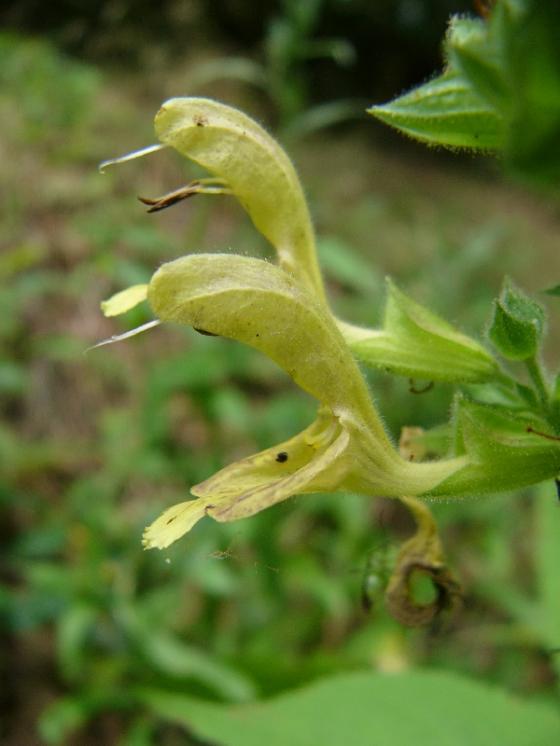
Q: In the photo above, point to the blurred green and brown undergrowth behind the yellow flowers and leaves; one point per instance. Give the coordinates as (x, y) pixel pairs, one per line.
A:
(94, 445)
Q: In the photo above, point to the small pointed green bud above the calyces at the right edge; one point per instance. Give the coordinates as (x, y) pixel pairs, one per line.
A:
(517, 326)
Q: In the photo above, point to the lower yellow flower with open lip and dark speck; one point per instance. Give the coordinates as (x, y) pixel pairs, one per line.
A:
(346, 448)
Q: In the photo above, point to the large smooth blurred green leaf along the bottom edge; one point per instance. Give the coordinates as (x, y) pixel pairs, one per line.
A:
(370, 709)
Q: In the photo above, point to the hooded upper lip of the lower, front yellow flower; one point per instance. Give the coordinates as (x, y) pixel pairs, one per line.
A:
(263, 306)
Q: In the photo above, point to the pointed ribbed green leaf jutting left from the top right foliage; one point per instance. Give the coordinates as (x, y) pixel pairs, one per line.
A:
(445, 111)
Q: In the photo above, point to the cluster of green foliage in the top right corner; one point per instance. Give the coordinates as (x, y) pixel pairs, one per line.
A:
(500, 90)
